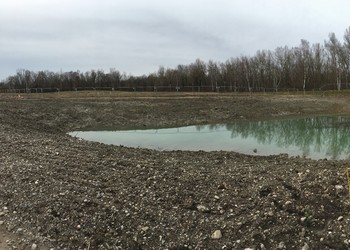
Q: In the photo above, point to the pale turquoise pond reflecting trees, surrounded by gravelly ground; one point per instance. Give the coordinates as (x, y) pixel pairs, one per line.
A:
(312, 137)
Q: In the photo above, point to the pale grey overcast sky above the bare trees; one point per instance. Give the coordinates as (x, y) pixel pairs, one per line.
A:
(137, 36)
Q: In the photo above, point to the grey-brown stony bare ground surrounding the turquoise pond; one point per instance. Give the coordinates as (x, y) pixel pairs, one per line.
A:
(59, 192)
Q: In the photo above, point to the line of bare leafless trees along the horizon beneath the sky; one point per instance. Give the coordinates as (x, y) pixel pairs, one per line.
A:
(304, 67)
